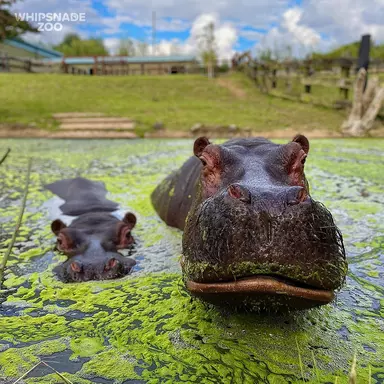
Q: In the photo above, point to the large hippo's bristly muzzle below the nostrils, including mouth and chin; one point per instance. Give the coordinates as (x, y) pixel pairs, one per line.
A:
(234, 252)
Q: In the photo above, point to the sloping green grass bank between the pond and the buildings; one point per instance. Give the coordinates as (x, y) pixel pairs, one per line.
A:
(177, 101)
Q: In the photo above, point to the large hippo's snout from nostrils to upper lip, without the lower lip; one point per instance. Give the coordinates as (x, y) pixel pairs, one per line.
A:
(294, 240)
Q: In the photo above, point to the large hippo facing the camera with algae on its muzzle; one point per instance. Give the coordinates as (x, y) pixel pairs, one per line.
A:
(254, 237)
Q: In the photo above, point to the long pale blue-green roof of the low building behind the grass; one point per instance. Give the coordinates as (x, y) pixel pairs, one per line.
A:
(125, 59)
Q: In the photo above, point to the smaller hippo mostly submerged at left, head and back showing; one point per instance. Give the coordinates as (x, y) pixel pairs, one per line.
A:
(93, 239)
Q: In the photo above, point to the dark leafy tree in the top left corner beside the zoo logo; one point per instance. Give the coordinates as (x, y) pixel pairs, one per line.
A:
(10, 25)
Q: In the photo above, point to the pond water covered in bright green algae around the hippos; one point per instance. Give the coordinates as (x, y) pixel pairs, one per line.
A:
(145, 328)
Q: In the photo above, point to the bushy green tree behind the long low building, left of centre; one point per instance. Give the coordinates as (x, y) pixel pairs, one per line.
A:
(73, 45)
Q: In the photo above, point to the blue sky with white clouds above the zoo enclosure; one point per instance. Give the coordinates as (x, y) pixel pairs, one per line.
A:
(303, 25)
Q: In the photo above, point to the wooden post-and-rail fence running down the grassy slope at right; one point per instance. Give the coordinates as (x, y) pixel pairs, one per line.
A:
(321, 82)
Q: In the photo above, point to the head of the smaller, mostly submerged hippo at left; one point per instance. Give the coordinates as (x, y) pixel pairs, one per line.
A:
(91, 244)
